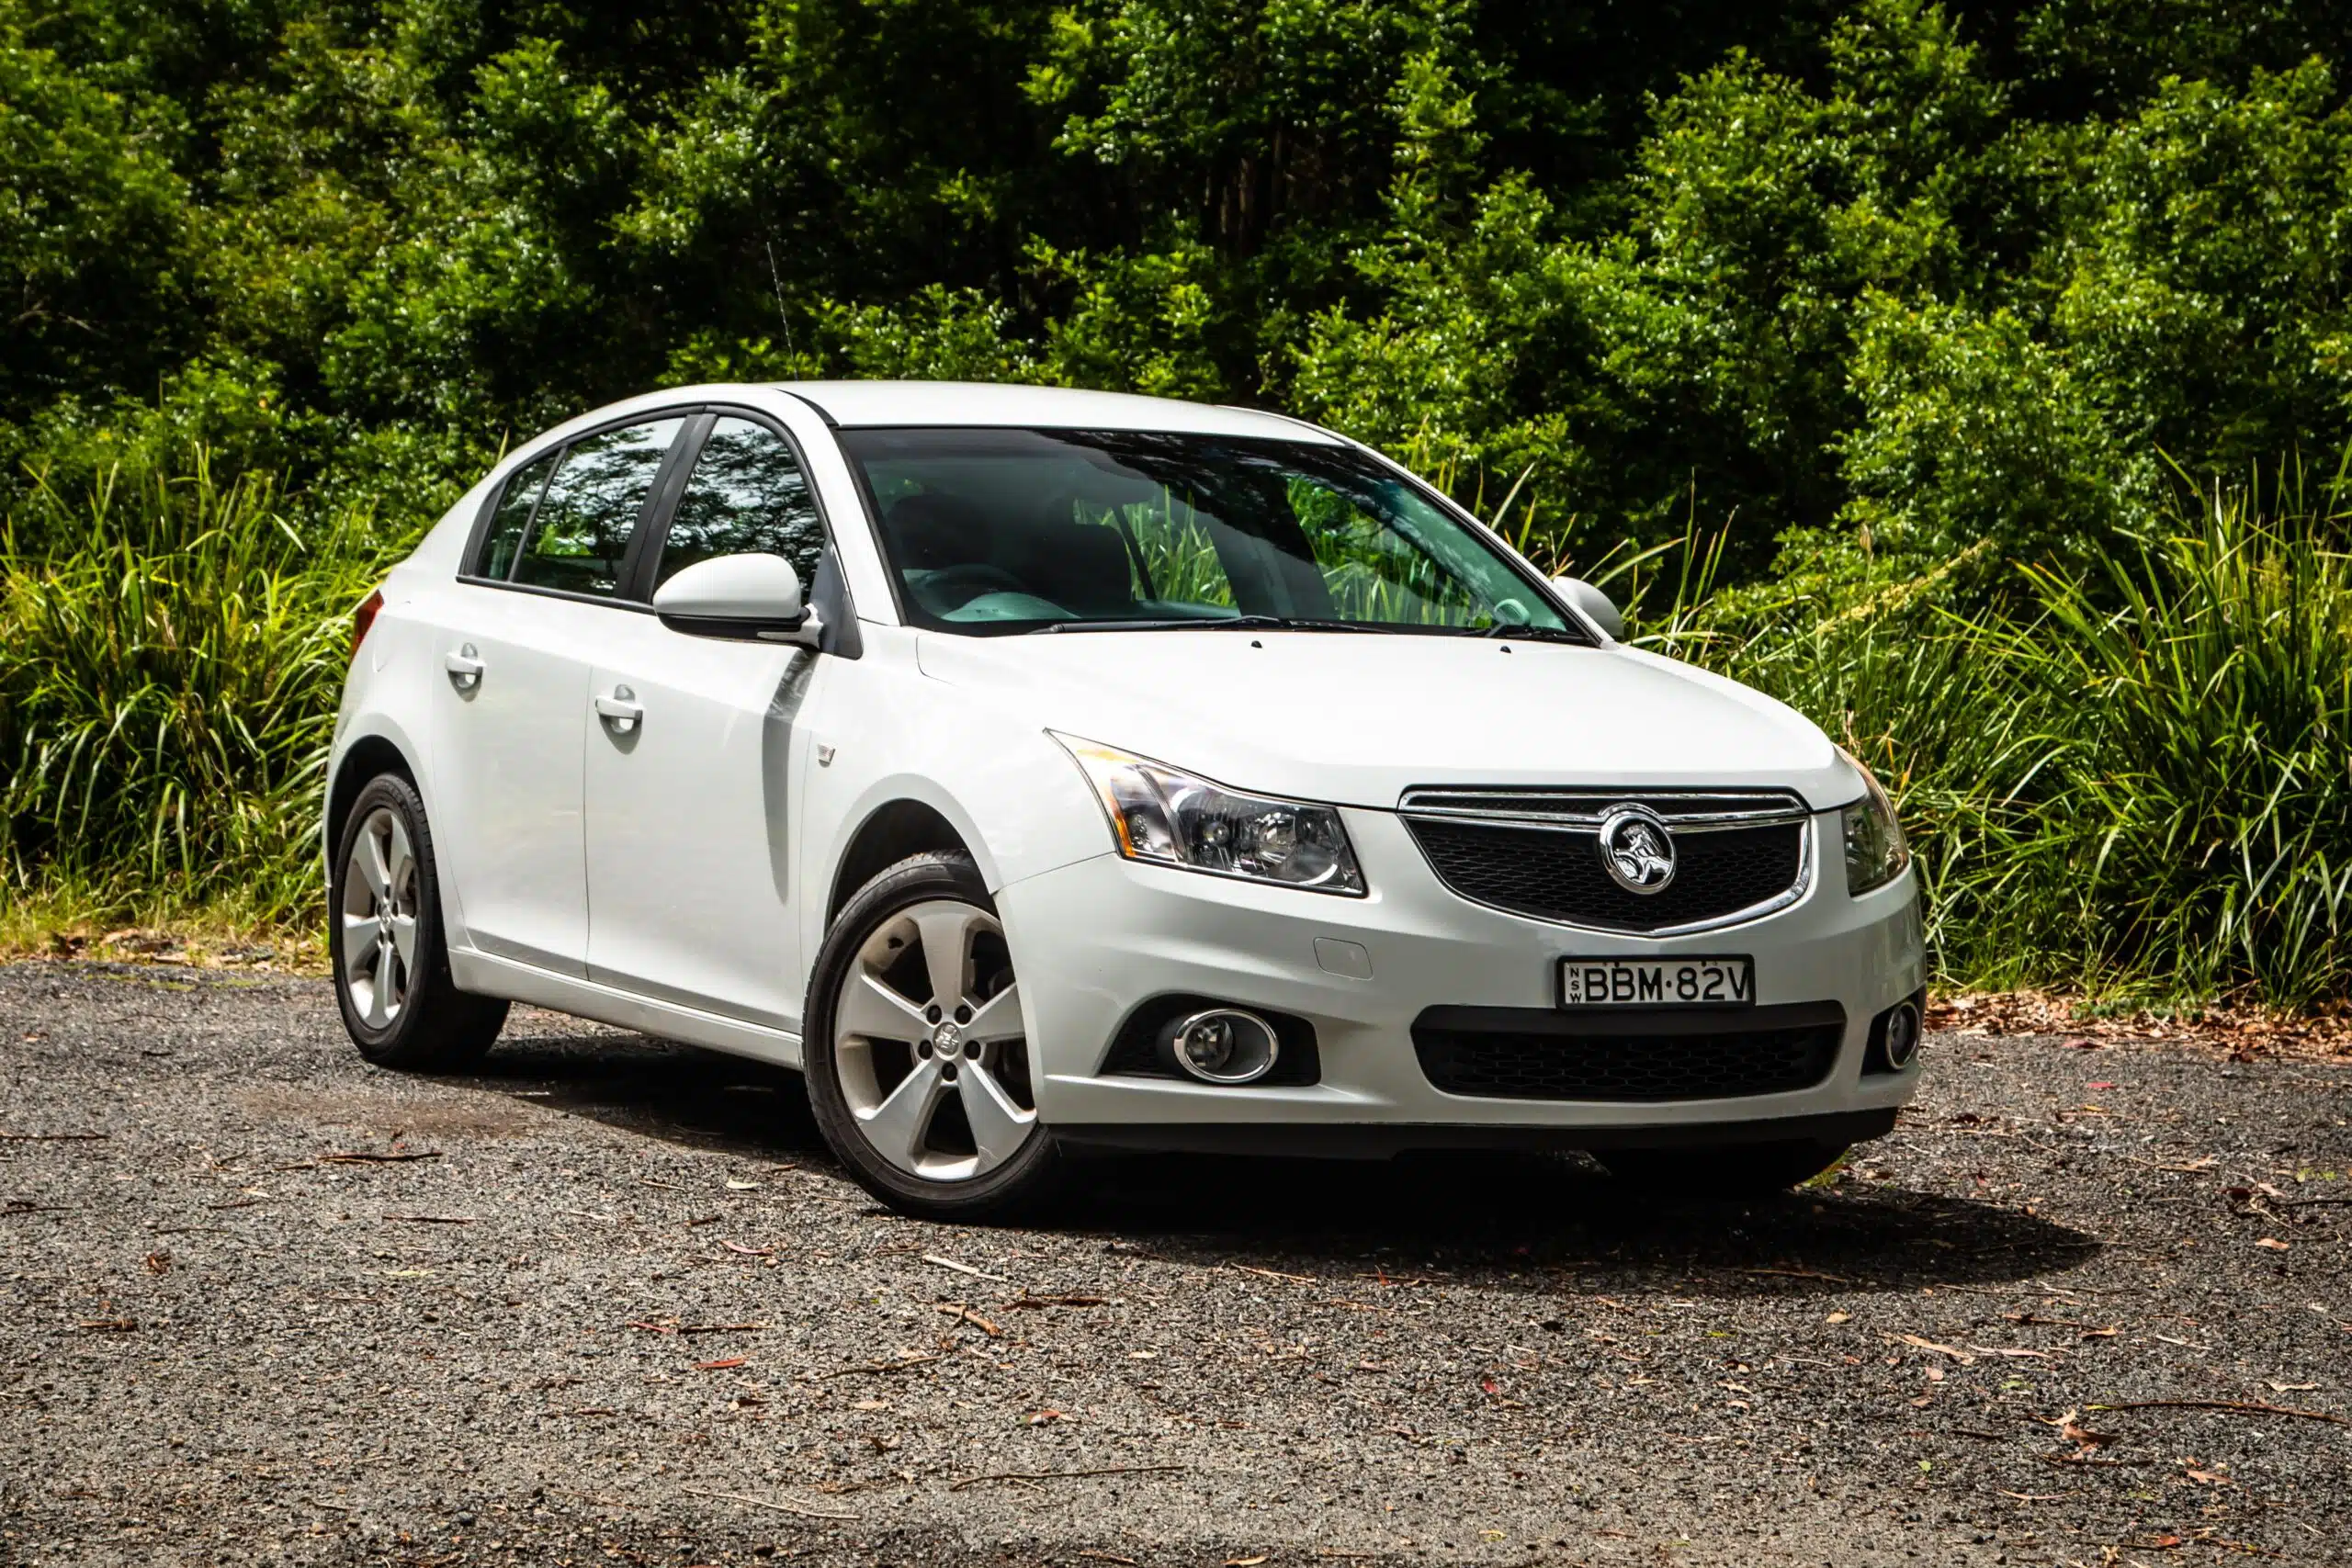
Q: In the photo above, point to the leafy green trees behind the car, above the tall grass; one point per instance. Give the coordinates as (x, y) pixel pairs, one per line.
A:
(1935, 272)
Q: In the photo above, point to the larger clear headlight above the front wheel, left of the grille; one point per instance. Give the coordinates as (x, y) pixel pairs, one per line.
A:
(1168, 817)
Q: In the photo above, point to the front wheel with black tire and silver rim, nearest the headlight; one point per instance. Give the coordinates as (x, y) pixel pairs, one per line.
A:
(916, 1050)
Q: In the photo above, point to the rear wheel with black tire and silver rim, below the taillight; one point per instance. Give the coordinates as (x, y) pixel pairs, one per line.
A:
(399, 1003)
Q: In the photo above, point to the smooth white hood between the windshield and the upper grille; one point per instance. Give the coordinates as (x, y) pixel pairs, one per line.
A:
(1358, 718)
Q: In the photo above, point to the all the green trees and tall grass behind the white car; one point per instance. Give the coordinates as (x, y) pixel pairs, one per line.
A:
(1963, 337)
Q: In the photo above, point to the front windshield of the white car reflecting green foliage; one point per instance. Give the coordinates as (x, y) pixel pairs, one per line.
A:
(1078, 530)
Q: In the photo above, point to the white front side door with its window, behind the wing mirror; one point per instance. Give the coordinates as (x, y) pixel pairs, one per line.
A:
(690, 796)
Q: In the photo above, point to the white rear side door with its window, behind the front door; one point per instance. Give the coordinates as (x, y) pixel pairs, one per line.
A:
(542, 594)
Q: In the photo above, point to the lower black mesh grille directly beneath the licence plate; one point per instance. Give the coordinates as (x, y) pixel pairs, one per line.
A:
(1537, 1054)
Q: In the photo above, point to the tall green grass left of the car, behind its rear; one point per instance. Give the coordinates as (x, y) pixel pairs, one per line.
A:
(168, 681)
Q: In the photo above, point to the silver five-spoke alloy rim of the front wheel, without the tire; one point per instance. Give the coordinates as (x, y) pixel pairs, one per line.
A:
(930, 1045)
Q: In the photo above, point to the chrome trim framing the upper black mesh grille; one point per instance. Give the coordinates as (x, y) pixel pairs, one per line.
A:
(1775, 808)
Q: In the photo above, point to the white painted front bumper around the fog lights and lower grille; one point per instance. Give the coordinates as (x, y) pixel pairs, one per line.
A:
(1104, 937)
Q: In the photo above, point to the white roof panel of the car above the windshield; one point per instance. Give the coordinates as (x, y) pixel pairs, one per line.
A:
(1036, 408)
